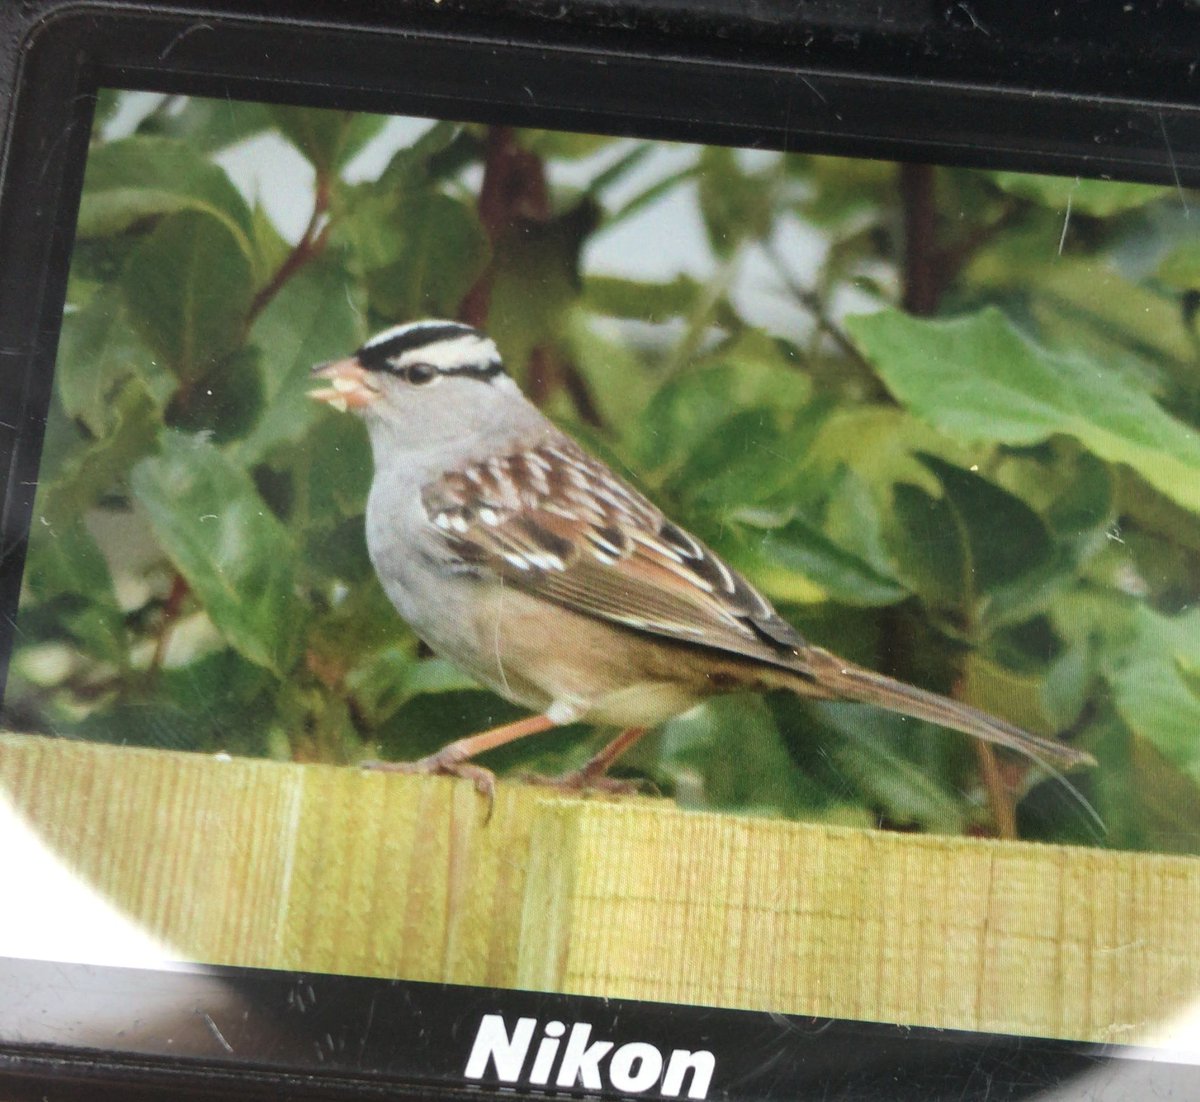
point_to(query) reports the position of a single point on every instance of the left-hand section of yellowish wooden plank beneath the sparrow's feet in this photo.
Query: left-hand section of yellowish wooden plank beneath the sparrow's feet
(269, 865)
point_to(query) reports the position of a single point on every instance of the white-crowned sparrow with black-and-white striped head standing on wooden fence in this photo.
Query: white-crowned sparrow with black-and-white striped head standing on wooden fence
(529, 564)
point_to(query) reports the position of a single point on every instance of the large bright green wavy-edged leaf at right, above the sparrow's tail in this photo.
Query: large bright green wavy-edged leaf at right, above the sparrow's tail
(979, 379)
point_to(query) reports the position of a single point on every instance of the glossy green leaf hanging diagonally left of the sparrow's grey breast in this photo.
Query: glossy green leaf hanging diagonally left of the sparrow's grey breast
(236, 556)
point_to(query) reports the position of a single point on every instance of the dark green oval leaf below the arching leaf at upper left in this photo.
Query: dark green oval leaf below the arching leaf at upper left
(188, 289)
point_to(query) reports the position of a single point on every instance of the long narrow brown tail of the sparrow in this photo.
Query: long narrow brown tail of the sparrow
(829, 676)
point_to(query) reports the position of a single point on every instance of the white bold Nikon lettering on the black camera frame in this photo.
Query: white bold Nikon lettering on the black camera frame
(633, 1069)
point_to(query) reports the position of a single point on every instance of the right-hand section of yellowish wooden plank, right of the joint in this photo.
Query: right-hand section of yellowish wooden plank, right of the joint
(656, 903)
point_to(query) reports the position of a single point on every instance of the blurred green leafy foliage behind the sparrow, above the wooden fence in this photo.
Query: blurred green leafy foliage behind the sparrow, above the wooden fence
(945, 418)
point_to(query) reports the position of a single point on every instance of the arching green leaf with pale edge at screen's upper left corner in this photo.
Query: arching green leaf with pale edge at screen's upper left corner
(136, 179)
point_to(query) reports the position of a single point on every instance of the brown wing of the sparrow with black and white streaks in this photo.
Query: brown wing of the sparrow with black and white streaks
(559, 524)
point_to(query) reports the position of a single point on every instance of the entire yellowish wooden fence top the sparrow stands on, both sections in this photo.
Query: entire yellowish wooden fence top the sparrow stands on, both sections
(320, 869)
